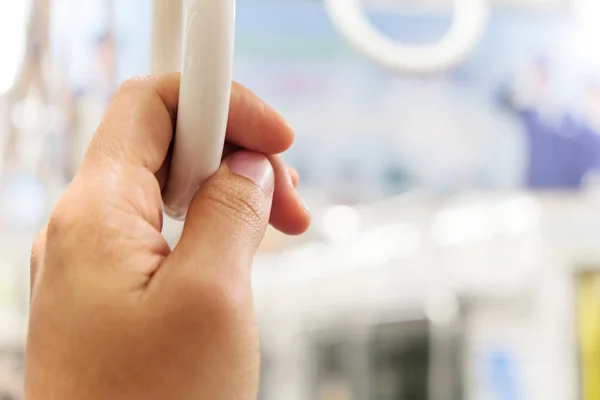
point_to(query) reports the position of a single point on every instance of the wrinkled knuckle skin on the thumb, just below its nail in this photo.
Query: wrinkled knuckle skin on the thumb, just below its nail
(243, 204)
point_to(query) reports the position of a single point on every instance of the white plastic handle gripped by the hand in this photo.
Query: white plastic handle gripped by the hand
(207, 28)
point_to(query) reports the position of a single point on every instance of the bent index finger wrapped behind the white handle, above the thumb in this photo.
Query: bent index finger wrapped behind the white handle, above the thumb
(139, 124)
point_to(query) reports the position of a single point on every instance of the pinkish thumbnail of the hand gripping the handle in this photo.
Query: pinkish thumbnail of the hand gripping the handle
(253, 166)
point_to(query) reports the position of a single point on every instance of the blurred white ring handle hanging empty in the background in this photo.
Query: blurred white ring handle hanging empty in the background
(470, 21)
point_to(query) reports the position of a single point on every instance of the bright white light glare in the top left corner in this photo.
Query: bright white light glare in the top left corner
(13, 16)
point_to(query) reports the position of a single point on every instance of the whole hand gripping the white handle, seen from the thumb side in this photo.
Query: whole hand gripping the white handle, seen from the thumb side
(115, 313)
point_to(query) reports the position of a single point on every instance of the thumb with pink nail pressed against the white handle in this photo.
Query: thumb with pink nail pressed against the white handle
(229, 215)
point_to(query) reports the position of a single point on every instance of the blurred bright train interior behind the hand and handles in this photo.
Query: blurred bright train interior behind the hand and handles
(455, 251)
